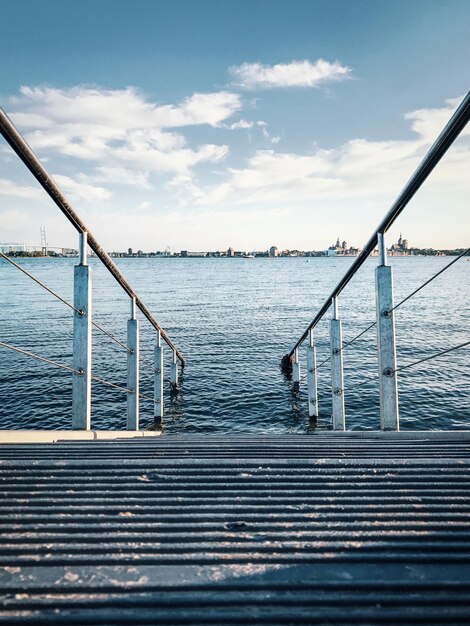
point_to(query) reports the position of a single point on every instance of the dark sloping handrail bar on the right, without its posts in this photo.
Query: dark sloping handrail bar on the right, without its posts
(451, 131)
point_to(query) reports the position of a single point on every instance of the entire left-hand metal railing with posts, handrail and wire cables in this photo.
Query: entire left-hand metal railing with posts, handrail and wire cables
(83, 322)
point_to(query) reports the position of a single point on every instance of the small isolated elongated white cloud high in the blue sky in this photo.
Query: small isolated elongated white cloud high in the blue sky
(294, 74)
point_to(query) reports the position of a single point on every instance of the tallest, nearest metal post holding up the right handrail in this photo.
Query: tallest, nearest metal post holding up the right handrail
(389, 418)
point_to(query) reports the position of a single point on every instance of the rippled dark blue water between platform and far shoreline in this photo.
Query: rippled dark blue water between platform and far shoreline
(234, 319)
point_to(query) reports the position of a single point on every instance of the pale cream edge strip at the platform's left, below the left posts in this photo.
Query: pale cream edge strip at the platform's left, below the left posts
(53, 436)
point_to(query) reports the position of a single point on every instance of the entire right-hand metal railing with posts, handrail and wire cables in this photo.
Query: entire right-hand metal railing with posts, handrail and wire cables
(385, 307)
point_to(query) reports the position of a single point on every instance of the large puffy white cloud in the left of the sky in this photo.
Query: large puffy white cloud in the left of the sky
(118, 129)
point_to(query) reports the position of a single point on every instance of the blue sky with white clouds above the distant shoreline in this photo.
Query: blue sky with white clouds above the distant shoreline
(206, 124)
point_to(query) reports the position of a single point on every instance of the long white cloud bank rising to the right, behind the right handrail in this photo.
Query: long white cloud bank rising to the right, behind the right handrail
(357, 169)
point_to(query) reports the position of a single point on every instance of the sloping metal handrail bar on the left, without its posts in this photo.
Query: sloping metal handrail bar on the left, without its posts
(25, 153)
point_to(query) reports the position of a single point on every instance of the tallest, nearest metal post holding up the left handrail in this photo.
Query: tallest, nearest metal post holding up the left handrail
(81, 387)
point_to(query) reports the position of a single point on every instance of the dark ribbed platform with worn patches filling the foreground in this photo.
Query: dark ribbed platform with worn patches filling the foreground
(328, 528)
